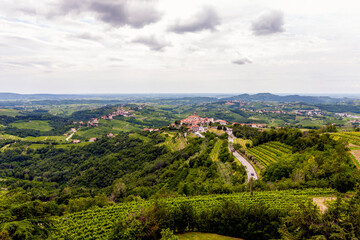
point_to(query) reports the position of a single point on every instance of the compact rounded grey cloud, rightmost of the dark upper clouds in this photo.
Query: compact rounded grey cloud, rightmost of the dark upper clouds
(268, 23)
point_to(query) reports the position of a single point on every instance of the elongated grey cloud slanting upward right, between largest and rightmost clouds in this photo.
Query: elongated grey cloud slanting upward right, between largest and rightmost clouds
(206, 19)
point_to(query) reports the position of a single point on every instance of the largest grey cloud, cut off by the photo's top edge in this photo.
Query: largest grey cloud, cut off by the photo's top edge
(136, 14)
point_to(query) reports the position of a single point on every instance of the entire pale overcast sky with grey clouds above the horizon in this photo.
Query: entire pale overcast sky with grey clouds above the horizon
(187, 46)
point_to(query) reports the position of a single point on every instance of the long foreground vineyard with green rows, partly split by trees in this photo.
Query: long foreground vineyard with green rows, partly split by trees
(97, 223)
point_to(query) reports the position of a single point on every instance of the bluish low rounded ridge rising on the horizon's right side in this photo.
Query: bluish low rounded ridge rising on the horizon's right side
(268, 97)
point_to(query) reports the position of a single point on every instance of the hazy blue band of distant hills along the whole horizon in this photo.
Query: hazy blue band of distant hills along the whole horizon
(263, 97)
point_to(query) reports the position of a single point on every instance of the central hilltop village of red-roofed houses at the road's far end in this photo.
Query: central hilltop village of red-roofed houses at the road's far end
(196, 123)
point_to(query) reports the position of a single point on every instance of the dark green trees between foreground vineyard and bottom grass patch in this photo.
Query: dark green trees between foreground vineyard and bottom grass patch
(229, 218)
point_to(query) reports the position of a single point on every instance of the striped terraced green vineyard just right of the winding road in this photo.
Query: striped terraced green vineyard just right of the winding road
(269, 152)
